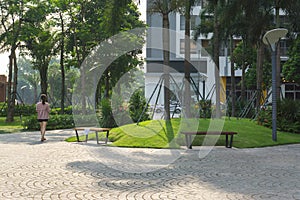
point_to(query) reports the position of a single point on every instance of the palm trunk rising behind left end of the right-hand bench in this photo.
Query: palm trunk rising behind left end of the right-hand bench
(187, 56)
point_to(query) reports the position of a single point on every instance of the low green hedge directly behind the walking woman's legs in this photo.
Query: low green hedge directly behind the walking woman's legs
(55, 122)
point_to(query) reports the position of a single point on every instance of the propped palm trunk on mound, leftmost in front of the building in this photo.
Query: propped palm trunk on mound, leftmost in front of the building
(166, 71)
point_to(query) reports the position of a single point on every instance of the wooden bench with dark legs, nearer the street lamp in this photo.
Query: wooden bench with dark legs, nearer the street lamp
(188, 137)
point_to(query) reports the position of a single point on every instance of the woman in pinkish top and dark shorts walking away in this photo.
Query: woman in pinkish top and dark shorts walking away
(43, 110)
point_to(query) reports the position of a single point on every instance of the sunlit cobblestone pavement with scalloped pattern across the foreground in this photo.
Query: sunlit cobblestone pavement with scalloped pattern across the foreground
(56, 169)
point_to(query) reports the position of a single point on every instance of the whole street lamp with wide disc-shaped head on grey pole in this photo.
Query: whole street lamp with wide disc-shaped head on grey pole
(271, 39)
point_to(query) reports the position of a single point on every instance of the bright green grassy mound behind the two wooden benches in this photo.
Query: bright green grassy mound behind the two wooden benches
(153, 134)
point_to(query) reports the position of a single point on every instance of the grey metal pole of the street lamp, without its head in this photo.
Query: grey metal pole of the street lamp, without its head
(274, 95)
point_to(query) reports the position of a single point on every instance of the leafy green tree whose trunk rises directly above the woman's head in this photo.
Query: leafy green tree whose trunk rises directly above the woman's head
(39, 39)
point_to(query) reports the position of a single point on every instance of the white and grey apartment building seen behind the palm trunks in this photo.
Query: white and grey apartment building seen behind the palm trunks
(202, 66)
